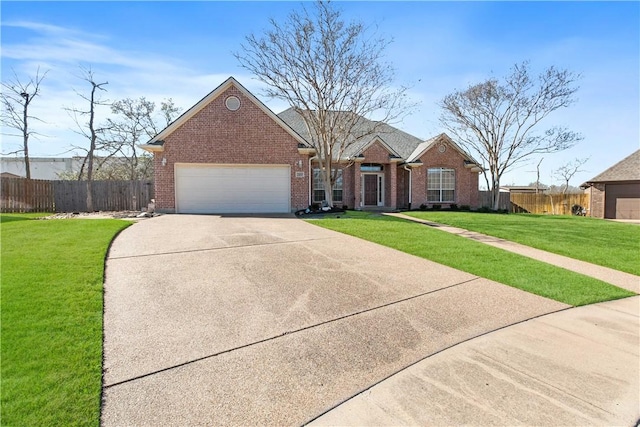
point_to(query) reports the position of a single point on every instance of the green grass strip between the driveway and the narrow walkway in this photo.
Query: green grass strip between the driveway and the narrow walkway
(475, 258)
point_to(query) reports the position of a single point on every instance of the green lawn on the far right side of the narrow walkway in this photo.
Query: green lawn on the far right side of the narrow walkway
(607, 243)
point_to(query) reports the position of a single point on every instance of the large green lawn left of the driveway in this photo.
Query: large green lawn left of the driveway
(51, 319)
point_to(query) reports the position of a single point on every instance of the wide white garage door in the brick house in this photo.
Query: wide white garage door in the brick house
(232, 188)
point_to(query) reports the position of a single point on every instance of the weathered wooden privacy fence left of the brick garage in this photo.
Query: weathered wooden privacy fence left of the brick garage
(22, 195)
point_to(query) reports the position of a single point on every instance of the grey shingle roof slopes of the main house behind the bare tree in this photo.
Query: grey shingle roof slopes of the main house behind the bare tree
(398, 142)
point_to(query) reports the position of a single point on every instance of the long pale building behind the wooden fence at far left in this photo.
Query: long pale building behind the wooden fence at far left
(41, 167)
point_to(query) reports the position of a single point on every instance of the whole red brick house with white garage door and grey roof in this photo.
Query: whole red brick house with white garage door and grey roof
(229, 153)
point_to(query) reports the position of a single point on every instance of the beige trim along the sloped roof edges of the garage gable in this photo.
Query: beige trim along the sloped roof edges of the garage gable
(156, 143)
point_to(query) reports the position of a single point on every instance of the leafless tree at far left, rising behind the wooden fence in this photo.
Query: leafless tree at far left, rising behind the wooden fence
(16, 97)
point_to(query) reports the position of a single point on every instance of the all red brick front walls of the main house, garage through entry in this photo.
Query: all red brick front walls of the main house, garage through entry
(211, 133)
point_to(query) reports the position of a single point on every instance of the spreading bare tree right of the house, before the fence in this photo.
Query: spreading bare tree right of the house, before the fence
(498, 121)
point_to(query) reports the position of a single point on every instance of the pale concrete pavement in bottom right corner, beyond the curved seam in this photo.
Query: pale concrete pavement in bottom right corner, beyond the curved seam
(575, 367)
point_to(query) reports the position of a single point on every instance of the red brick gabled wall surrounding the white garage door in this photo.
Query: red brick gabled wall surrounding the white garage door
(218, 135)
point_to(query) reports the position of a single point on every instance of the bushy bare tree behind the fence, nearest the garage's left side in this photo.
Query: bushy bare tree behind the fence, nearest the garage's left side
(135, 120)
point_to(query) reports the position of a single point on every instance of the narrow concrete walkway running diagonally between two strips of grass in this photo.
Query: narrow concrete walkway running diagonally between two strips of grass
(619, 278)
